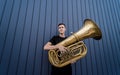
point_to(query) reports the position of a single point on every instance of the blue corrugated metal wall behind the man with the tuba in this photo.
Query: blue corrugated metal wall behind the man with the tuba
(26, 25)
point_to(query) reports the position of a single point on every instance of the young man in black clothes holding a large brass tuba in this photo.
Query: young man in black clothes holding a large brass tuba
(66, 70)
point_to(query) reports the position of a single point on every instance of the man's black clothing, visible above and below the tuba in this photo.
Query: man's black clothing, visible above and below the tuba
(66, 70)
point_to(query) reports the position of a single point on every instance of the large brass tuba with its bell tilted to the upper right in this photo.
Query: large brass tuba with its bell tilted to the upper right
(76, 48)
